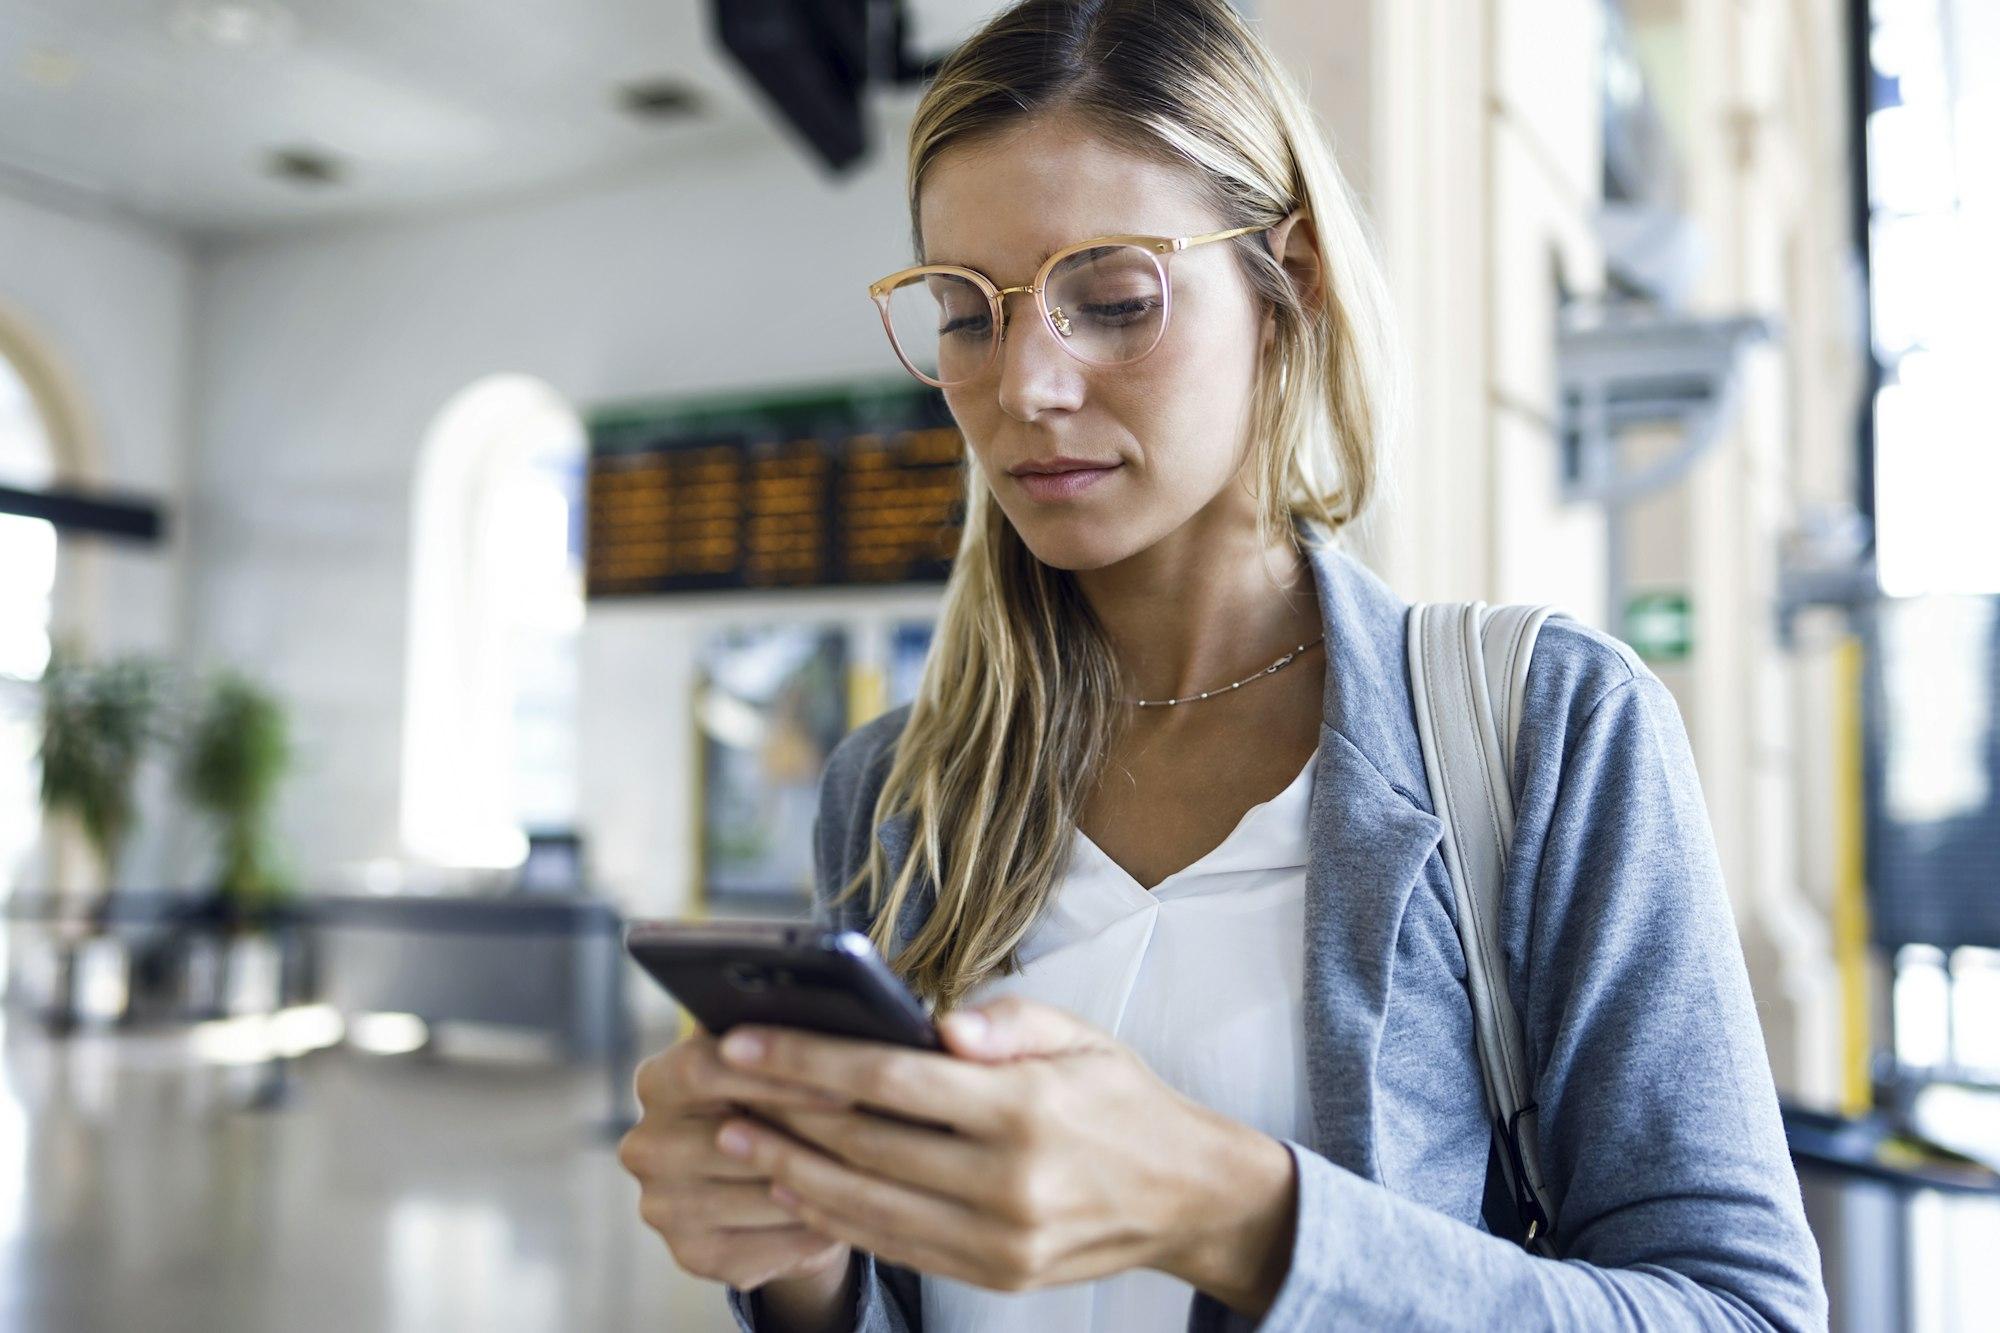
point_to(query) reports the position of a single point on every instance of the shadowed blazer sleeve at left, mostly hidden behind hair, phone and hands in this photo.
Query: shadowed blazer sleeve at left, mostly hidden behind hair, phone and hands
(887, 1296)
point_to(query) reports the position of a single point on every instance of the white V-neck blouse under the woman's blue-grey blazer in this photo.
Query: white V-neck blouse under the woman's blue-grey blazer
(1205, 980)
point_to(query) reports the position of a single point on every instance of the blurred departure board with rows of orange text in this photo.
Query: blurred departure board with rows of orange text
(817, 487)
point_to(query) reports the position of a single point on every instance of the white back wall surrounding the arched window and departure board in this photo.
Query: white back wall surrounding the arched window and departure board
(325, 361)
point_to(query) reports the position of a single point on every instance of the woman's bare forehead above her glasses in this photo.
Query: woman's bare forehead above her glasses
(1007, 203)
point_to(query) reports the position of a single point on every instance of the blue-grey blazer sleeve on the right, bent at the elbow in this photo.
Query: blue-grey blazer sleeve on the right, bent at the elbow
(1659, 1124)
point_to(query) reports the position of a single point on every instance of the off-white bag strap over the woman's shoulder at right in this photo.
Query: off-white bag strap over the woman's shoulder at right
(1469, 672)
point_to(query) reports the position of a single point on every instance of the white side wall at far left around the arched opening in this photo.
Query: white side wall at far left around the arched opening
(105, 305)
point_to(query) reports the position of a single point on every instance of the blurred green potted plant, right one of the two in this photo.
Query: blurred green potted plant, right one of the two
(235, 756)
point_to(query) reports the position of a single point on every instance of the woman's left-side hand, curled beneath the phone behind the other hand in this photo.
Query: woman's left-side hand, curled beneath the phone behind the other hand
(713, 1212)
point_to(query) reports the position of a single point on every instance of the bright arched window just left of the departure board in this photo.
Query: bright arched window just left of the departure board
(497, 605)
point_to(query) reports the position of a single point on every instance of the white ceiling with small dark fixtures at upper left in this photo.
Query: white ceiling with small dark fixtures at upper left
(173, 109)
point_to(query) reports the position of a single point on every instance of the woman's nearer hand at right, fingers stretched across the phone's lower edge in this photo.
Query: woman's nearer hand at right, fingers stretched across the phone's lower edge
(1065, 1158)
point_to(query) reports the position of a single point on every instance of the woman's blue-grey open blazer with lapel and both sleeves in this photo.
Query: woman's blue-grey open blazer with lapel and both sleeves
(1659, 1124)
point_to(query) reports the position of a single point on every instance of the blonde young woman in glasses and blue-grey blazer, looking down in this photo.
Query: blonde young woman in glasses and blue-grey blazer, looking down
(1155, 836)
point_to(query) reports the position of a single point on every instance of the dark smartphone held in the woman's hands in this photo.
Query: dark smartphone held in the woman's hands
(781, 974)
